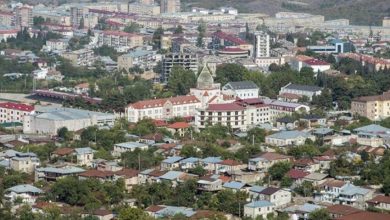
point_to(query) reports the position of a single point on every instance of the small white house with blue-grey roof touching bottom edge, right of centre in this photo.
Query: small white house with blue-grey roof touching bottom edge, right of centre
(258, 208)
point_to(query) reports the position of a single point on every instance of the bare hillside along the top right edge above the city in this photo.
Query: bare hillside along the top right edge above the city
(360, 12)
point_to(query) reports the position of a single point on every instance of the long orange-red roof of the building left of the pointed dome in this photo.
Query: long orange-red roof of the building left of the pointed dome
(154, 103)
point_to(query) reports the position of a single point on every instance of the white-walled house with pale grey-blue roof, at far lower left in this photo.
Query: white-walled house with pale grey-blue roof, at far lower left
(26, 192)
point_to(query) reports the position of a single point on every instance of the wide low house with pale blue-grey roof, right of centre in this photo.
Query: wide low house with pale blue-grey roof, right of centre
(288, 138)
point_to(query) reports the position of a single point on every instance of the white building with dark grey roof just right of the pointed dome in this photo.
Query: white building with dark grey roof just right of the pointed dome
(242, 89)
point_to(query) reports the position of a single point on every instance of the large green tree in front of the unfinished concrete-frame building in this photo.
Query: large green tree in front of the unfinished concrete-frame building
(181, 80)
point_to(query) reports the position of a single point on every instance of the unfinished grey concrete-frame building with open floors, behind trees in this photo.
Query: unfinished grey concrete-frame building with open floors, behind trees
(186, 60)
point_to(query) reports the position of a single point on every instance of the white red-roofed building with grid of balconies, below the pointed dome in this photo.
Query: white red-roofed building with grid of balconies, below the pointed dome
(227, 114)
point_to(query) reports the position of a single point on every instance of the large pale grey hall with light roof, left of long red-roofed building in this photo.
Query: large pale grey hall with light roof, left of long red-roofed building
(49, 120)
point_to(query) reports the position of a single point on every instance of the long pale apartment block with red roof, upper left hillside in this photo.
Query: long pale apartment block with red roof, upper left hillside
(119, 39)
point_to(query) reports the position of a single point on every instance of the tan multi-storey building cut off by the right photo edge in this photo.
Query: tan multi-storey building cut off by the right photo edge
(373, 107)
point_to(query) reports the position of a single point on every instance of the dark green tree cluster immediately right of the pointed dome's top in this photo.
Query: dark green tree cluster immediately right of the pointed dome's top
(230, 72)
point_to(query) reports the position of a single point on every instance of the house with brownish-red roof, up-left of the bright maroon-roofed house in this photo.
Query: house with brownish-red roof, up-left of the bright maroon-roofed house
(266, 160)
